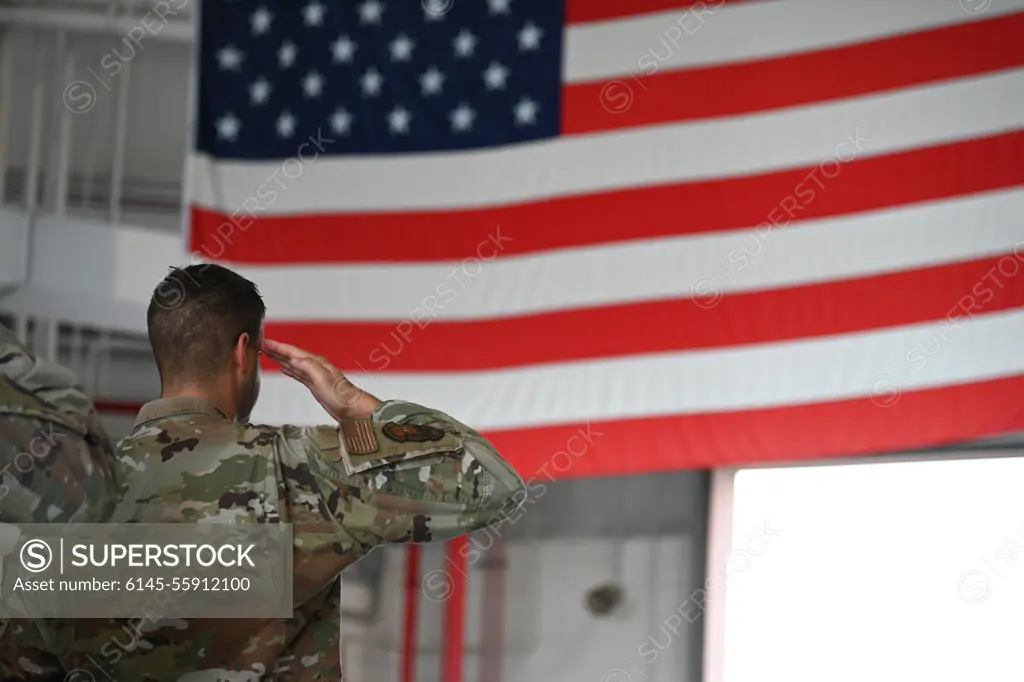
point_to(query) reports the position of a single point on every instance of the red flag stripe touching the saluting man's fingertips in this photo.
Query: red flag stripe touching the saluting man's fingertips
(956, 291)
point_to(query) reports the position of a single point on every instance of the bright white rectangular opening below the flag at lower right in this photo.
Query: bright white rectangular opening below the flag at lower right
(887, 572)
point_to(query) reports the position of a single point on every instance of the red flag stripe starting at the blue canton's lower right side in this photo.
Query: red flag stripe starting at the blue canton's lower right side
(766, 84)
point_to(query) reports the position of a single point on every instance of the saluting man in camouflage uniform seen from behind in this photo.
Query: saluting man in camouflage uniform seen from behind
(379, 473)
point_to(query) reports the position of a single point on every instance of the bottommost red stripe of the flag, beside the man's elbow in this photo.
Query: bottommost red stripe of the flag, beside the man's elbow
(915, 419)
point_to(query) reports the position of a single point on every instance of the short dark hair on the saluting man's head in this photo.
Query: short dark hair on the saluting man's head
(196, 317)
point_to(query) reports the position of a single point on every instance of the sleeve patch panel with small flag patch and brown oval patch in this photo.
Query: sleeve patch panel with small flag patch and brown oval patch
(367, 445)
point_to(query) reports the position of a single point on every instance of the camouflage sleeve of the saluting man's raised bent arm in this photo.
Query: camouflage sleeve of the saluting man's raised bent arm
(409, 474)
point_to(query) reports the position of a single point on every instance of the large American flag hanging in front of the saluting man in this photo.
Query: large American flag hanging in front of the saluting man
(654, 235)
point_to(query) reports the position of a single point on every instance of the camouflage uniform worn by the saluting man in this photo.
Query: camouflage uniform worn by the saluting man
(407, 475)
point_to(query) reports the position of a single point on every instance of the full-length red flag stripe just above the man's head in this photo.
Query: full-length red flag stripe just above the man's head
(863, 185)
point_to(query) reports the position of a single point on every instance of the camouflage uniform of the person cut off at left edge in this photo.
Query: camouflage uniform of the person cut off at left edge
(57, 466)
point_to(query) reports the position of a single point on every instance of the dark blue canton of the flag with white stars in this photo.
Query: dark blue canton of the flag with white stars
(377, 76)
